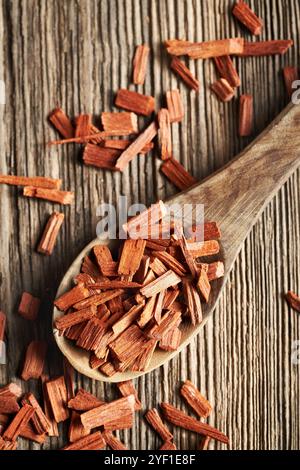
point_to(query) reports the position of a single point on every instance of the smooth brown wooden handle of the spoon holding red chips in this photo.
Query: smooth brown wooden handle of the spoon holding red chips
(236, 195)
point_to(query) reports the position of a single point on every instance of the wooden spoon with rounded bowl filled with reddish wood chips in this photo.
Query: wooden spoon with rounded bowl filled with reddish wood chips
(235, 197)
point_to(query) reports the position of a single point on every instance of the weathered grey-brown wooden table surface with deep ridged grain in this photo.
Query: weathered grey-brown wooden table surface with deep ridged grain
(77, 54)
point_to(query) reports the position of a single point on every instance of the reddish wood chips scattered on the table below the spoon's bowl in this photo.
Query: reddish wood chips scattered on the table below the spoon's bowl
(92, 422)
